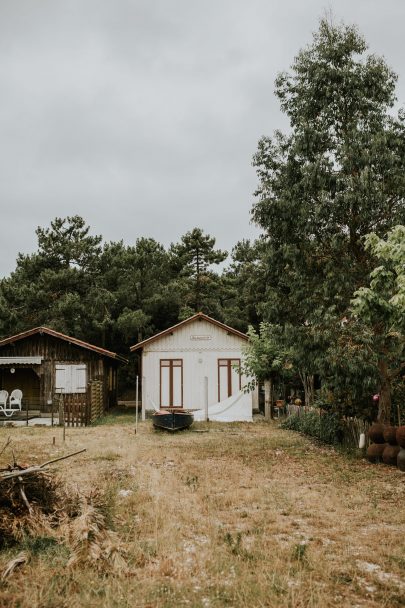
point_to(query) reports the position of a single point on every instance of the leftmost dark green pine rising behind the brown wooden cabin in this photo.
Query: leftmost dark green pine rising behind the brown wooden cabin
(52, 285)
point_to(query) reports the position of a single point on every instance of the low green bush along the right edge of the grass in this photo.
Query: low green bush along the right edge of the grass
(326, 427)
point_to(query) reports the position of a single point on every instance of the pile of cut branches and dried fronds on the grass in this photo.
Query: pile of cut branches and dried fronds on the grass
(35, 503)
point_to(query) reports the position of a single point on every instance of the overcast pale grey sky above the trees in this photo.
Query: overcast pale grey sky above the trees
(143, 115)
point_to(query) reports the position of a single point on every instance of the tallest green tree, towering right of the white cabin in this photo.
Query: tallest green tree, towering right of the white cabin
(338, 174)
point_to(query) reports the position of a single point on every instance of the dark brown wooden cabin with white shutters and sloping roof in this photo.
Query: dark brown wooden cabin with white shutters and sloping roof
(44, 364)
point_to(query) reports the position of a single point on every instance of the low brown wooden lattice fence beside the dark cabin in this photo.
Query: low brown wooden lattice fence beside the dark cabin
(81, 409)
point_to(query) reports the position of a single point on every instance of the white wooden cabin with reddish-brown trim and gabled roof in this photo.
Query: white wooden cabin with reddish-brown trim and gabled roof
(196, 365)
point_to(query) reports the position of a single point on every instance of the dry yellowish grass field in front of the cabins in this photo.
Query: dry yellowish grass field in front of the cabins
(234, 515)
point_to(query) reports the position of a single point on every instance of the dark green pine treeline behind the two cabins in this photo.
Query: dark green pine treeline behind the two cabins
(115, 294)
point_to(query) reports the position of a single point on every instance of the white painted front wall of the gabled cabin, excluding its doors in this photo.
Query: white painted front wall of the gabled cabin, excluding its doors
(199, 344)
